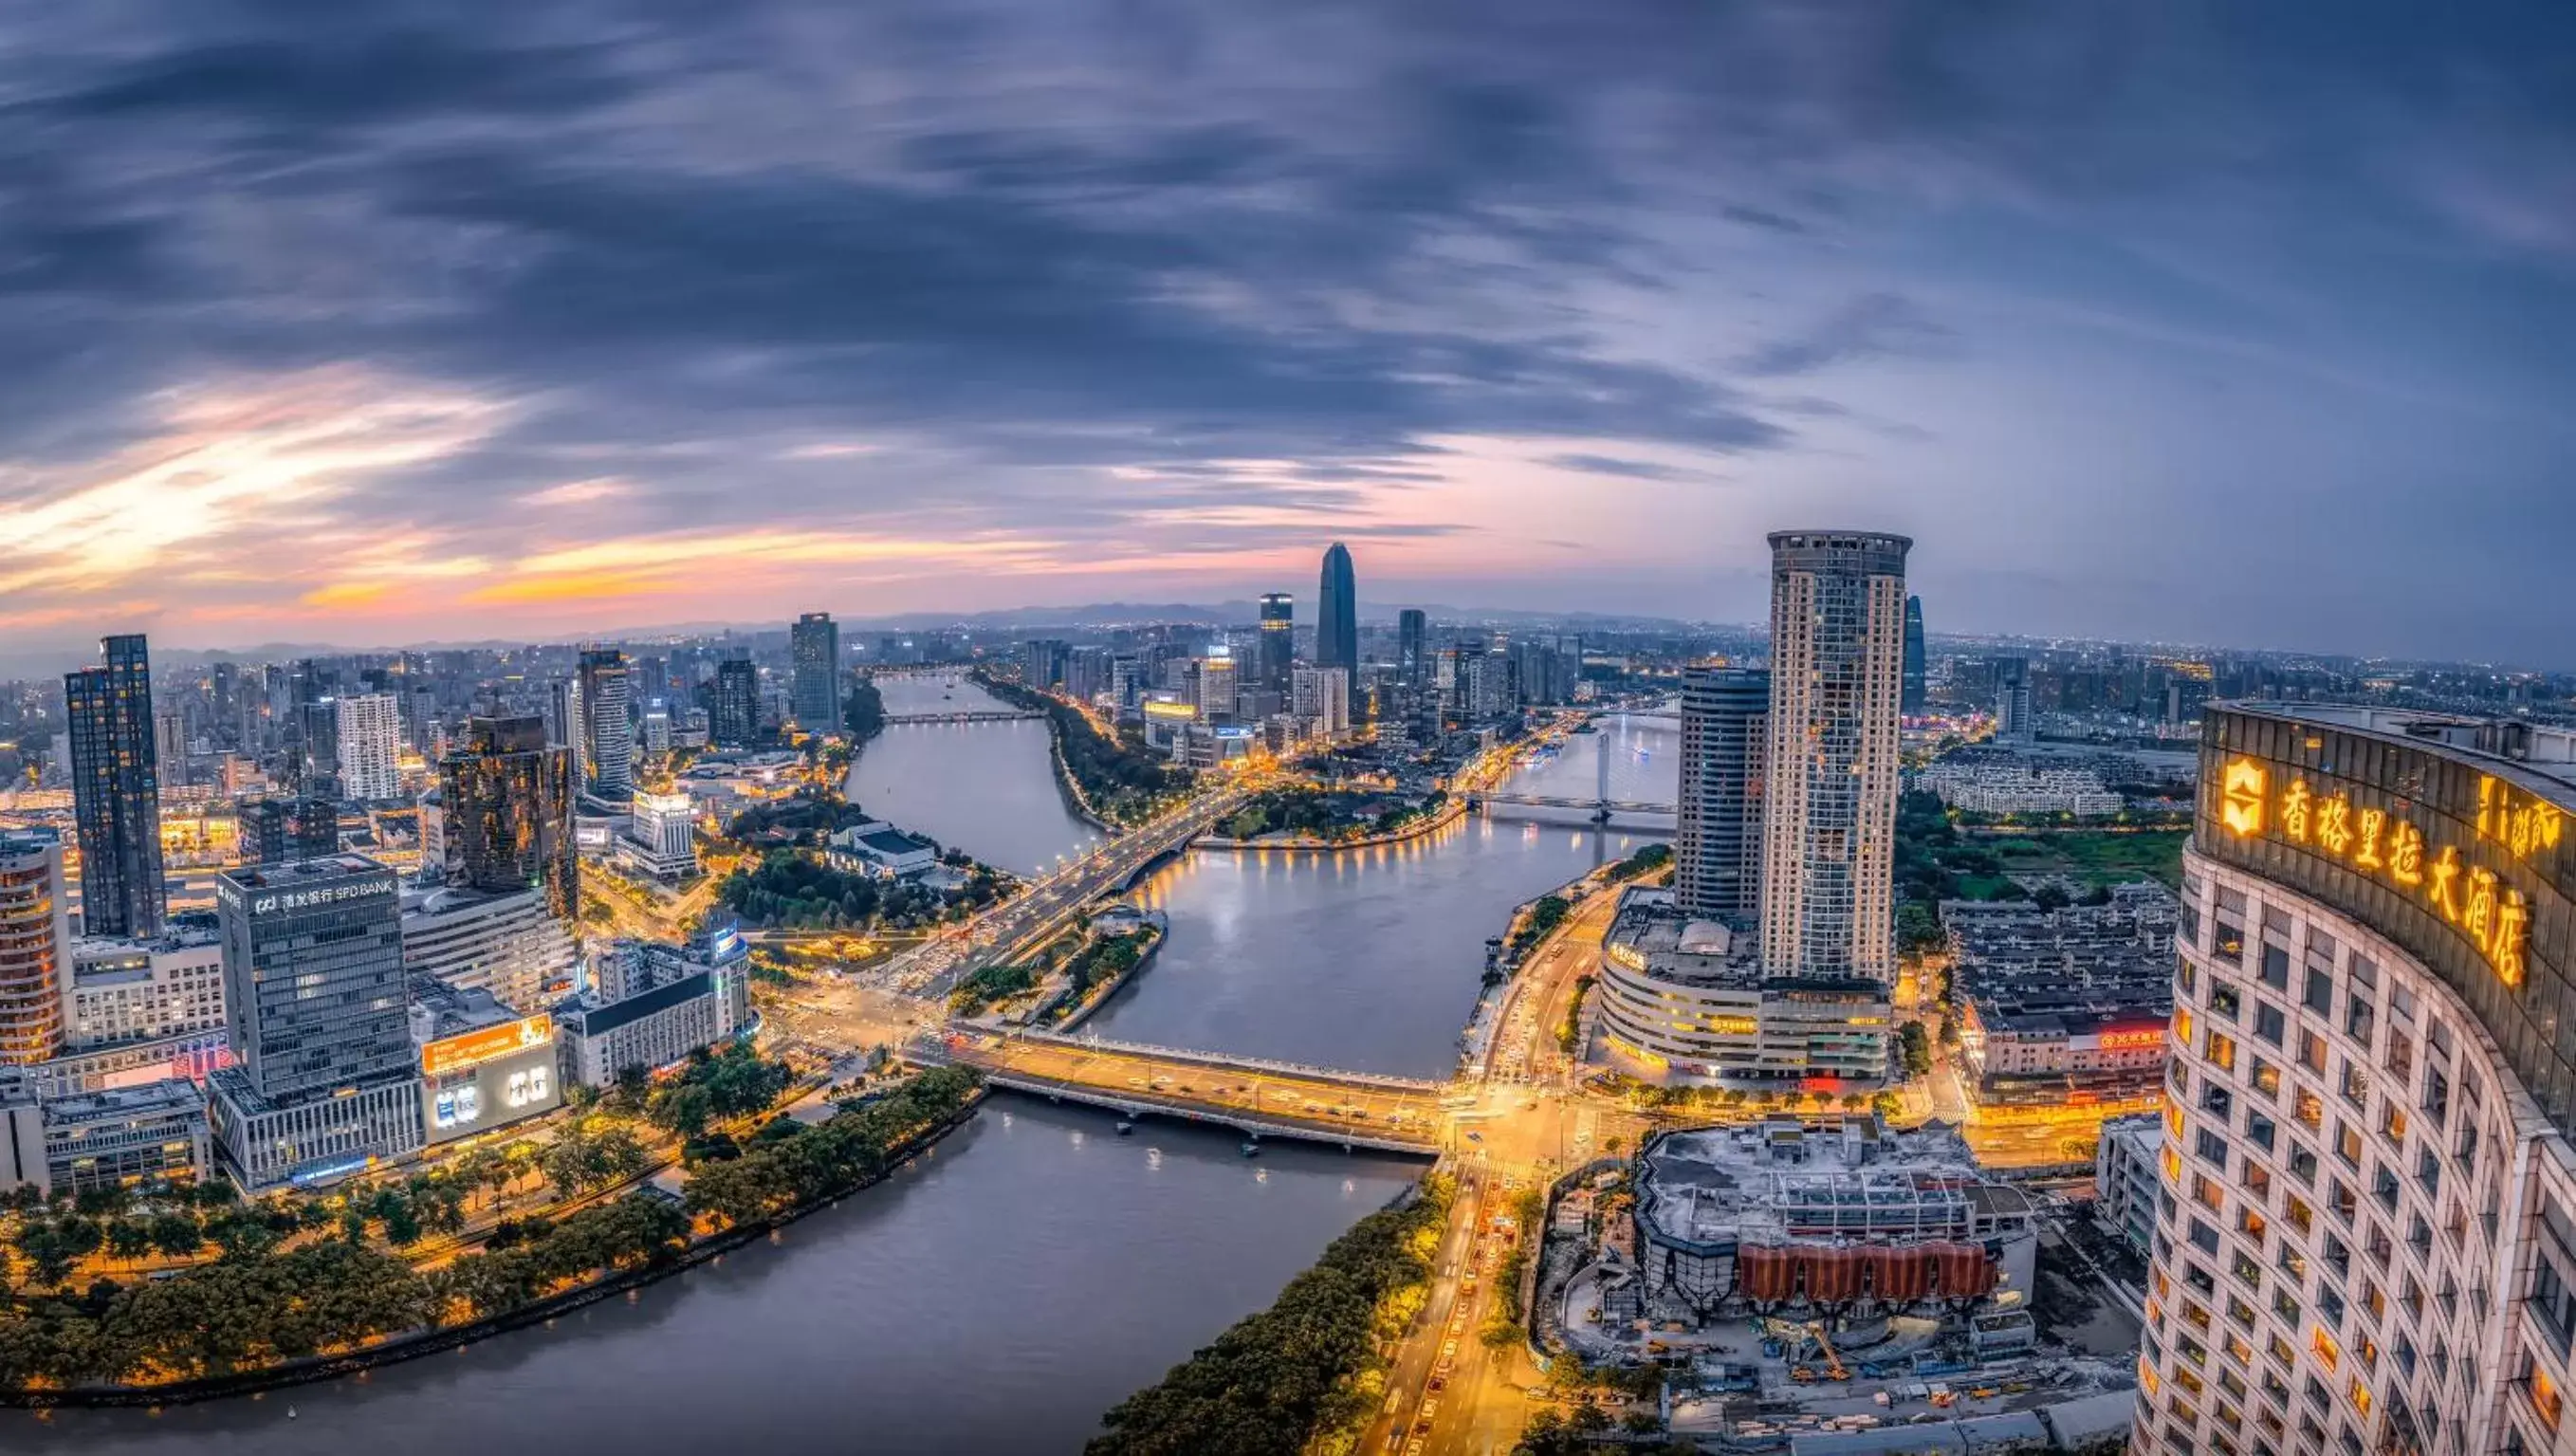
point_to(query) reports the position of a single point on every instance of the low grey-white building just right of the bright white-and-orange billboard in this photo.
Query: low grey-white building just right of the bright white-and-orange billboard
(650, 1006)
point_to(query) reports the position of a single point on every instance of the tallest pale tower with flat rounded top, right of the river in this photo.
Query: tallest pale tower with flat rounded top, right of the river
(1830, 795)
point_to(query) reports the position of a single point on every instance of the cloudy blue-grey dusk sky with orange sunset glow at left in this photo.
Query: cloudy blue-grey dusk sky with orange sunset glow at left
(2147, 318)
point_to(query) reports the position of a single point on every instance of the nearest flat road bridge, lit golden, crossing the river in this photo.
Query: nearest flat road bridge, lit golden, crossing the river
(1251, 1097)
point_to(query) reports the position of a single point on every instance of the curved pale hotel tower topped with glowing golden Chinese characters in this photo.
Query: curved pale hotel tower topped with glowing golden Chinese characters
(2366, 1228)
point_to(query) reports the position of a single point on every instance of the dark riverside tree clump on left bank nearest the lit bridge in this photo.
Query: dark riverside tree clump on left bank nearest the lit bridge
(823, 1161)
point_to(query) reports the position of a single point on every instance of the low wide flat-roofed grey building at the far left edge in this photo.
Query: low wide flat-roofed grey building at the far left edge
(120, 1138)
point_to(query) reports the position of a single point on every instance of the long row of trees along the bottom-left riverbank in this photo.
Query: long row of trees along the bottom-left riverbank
(261, 1308)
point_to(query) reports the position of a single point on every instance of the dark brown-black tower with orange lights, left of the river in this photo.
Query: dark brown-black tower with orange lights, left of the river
(506, 810)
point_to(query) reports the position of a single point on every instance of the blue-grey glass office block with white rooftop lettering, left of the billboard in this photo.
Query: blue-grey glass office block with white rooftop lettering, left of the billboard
(326, 1078)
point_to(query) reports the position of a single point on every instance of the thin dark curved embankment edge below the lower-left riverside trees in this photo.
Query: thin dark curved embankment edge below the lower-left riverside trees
(434, 1341)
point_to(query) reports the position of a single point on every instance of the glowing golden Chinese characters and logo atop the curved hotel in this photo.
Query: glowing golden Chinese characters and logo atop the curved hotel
(2258, 800)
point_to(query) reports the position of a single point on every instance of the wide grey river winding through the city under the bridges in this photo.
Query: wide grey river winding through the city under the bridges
(1034, 1269)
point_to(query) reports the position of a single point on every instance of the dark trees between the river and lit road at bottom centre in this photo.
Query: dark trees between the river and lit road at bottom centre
(1307, 1367)
